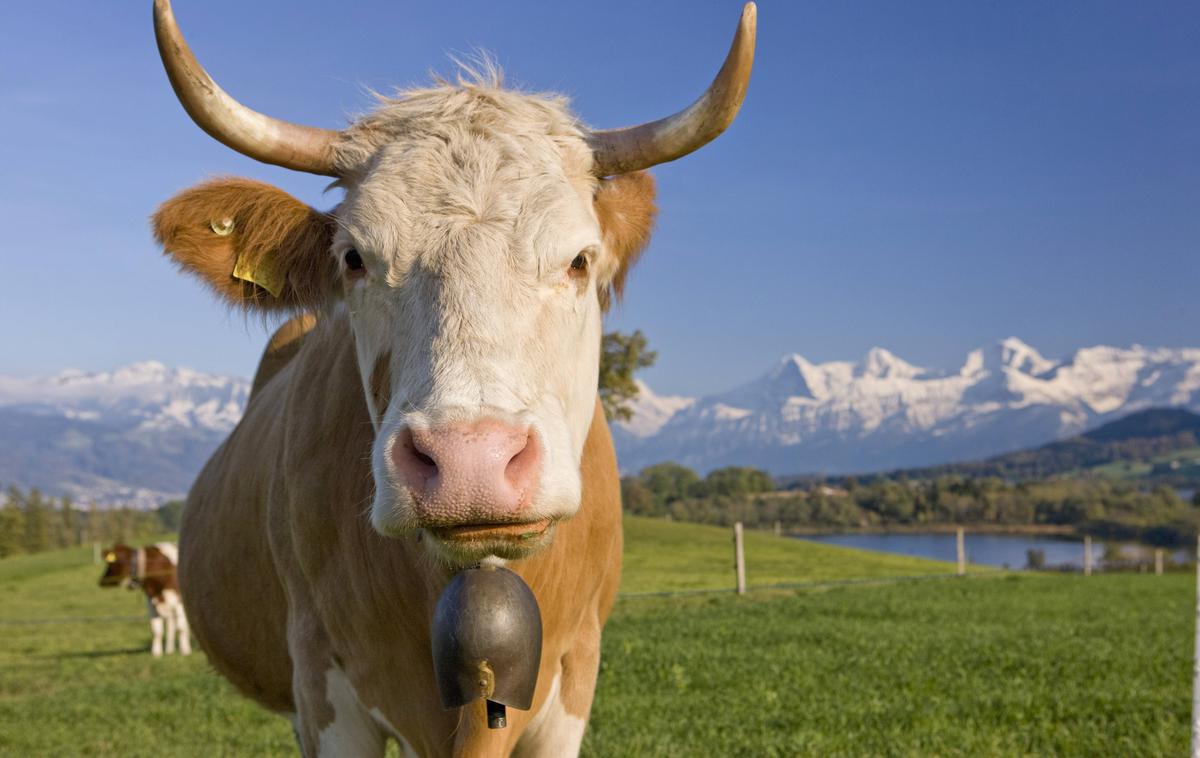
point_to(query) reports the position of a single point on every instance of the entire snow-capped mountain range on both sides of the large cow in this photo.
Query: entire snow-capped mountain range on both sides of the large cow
(140, 435)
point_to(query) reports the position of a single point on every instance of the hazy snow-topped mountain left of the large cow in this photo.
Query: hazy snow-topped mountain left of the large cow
(136, 436)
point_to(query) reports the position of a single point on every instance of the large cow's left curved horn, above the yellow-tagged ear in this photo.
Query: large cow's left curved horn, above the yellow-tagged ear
(249, 133)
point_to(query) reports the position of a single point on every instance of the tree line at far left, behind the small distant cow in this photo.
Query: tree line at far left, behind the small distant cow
(32, 522)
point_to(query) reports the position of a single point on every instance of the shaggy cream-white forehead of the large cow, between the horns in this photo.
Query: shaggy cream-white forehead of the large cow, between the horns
(445, 161)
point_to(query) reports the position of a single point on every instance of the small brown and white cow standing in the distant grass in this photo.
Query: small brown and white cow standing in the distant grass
(152, 569)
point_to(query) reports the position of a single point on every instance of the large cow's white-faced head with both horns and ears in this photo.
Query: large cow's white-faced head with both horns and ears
(482, 234)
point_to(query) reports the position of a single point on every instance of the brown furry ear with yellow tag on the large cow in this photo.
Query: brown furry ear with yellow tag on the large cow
(257, 246)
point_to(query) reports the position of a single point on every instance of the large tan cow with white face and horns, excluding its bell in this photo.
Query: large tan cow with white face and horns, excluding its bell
(431, 404)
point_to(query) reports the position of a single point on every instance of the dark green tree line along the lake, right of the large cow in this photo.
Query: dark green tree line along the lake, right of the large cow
(1101, 508)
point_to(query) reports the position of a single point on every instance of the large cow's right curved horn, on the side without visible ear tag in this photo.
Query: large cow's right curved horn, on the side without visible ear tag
(635, 148)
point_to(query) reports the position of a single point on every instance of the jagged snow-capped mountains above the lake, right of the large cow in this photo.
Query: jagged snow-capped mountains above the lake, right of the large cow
(884, 413)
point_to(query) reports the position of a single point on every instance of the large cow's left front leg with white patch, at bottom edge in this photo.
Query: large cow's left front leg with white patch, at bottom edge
(331, 720)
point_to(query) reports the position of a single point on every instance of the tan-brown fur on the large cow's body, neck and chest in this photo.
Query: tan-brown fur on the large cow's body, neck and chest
(296, 474)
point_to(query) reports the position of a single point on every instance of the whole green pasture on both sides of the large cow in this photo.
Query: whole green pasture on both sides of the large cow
(997, 665)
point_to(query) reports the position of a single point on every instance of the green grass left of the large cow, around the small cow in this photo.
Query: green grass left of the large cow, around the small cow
(92, 689)
